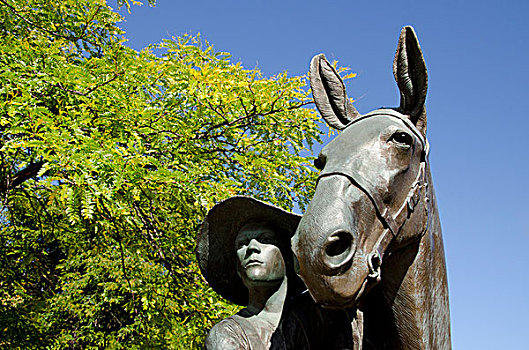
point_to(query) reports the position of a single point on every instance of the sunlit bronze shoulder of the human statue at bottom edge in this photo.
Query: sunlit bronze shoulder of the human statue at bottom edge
(227, 334)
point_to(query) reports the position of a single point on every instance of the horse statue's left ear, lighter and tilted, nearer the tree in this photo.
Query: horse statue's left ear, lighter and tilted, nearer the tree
(329, 93)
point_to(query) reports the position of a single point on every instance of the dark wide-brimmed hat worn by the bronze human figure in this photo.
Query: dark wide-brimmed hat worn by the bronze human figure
(216, 239)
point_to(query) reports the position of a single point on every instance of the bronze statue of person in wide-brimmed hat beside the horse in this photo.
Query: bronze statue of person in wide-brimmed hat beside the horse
(244, 253)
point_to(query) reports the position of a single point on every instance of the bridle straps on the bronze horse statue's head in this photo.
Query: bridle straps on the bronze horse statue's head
(392, 222)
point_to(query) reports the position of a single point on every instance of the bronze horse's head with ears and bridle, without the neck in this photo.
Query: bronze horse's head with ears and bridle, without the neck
(371, 197)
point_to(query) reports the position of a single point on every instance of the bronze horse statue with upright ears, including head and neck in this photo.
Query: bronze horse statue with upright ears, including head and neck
(371, 239)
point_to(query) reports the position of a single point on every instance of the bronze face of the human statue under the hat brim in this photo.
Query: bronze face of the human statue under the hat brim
(259, 258)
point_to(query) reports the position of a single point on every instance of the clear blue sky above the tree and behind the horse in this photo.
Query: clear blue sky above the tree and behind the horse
(478, 63)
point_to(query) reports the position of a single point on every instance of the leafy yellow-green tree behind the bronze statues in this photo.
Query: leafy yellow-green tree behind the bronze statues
(109, 160)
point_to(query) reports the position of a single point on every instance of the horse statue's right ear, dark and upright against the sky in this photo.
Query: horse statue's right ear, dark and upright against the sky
(410, 74)
